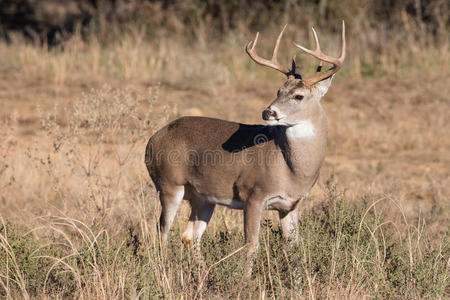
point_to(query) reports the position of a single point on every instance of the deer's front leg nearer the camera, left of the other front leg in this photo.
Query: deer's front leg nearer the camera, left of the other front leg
(252, 224)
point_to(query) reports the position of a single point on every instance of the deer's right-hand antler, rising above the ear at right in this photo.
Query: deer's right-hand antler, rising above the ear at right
(336, 62)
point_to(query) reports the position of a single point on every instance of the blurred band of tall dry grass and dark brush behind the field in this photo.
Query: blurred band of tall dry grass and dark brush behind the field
(385, 37)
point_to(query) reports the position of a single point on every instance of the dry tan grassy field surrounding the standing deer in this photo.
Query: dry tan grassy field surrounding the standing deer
(78, 212)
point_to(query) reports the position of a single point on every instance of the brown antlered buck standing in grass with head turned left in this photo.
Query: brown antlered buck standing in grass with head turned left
(210, 162)
